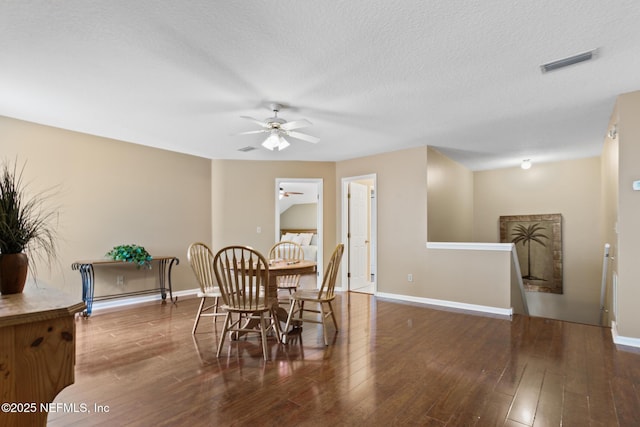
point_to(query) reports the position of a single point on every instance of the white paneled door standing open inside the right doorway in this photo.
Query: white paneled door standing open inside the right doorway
(358, 234)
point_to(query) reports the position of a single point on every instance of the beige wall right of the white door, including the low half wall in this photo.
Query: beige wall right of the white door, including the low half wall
(401, 198)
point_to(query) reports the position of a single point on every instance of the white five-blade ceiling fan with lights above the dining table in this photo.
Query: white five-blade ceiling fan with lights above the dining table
(278, 128)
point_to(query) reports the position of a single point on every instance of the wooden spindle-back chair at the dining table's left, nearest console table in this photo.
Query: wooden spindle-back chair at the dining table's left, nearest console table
(200, 258)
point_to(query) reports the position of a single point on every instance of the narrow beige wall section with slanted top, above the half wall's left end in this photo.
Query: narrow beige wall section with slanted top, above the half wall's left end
(449, 199)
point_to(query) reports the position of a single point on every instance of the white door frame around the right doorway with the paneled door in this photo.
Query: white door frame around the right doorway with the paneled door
(345, 229)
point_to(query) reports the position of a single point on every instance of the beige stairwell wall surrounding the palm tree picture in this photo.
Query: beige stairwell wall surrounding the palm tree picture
(571, 188)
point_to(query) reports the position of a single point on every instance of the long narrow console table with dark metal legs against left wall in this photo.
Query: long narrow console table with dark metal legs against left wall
(165, 264)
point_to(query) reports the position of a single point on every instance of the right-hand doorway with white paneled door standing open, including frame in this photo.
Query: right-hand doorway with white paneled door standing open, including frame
(359, 217)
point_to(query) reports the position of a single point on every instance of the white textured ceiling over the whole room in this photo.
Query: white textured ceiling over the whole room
(372, 76)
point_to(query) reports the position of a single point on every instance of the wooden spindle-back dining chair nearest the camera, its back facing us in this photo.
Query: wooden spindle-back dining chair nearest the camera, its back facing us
(243, 276)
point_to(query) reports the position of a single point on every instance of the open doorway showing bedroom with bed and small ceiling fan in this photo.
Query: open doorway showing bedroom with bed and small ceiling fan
(299, 211)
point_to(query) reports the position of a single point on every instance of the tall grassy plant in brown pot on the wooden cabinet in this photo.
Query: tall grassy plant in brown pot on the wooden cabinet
(26, 228)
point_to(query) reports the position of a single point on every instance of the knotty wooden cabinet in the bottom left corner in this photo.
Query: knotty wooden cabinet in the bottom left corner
(37, 353)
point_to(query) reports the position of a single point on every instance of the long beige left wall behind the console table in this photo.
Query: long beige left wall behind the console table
(112, 193)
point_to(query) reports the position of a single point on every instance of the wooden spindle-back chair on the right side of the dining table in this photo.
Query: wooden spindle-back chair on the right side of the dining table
(319, 298)
